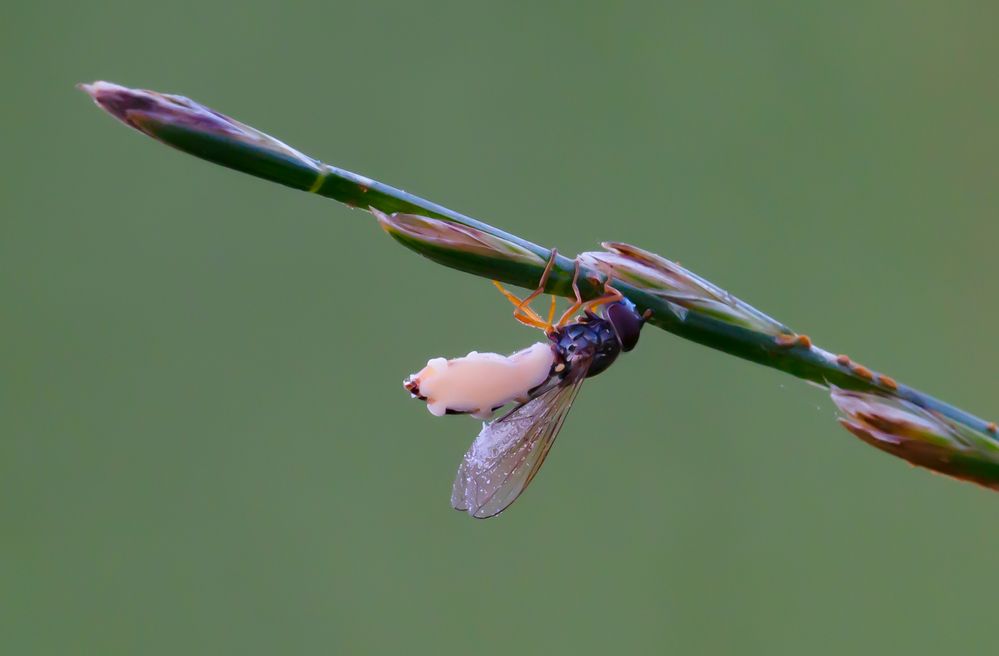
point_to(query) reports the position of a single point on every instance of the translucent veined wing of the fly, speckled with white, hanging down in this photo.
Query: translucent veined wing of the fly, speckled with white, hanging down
(509, 451)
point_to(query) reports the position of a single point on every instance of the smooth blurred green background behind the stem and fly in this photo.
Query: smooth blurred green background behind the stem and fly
(205, 445)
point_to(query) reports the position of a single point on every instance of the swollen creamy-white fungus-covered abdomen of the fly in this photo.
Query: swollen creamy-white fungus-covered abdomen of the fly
(480, 382)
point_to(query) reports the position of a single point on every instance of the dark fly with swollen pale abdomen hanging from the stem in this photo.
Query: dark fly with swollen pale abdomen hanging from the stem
(543, 380)
